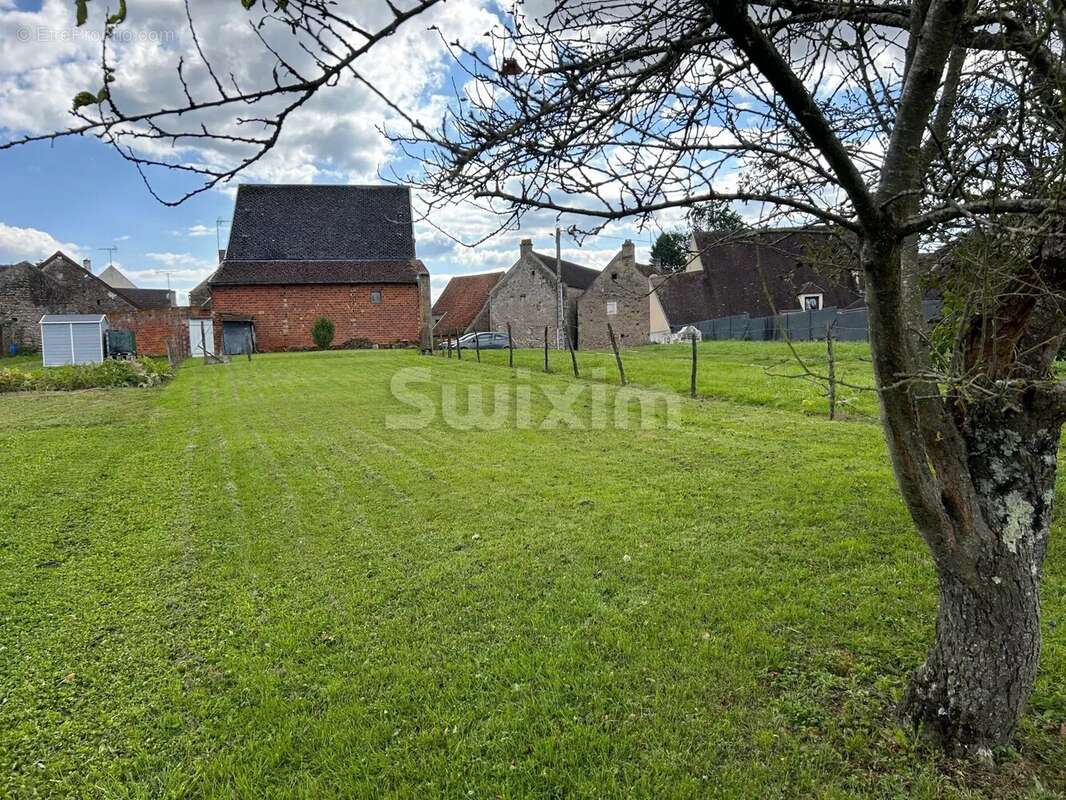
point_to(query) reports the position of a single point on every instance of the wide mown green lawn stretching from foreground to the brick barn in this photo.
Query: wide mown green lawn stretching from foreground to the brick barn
(246, 584)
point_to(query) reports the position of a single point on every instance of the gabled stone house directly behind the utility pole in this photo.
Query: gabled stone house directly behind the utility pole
(528, 298)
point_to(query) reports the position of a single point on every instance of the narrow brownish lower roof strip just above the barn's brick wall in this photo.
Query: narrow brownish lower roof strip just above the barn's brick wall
(279, 274)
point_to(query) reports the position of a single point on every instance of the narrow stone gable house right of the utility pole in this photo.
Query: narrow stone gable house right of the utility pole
(622, 296)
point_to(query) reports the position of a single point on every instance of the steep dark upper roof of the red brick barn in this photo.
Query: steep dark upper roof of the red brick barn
(321, 223)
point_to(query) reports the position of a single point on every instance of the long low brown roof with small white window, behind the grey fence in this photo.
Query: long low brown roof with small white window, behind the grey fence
(757, 274)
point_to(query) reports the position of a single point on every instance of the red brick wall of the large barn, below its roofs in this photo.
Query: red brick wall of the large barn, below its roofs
(284, 315)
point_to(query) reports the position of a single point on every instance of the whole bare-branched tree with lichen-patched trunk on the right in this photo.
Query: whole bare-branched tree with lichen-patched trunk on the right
(907, 125)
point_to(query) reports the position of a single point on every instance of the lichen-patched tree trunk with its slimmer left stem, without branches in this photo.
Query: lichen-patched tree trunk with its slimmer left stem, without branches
(979, 483)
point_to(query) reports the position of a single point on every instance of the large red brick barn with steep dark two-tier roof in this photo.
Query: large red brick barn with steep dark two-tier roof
(298, 253)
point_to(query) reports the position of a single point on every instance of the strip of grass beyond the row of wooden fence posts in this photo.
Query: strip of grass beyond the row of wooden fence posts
(748, 373)
